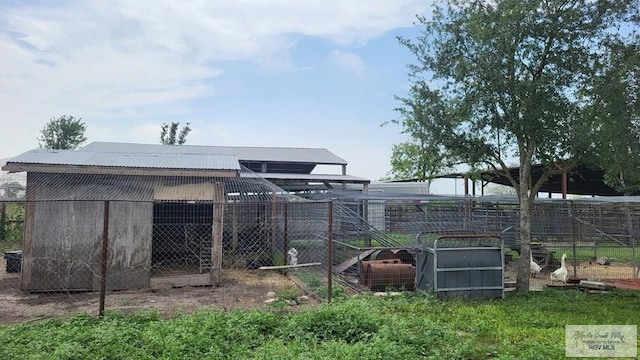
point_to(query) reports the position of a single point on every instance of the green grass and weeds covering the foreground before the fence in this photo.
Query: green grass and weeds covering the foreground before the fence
(410, 326)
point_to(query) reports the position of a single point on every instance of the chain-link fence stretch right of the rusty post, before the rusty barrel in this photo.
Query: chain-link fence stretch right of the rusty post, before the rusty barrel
(597, 236)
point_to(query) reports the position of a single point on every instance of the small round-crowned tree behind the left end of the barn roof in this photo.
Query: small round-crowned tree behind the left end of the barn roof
(63, 133)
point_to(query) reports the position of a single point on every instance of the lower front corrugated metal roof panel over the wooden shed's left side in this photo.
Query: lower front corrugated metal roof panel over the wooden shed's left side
(129, 160)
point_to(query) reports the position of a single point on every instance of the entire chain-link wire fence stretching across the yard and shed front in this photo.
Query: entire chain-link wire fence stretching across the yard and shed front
(64, 238)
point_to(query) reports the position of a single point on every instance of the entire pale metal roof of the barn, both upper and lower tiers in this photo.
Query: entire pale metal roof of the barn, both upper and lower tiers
(289, 168)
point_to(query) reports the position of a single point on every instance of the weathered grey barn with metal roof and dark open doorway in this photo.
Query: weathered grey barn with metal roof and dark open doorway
(143, 209)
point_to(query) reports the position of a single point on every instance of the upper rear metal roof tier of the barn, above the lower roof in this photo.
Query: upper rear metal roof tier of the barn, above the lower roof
(275, 154)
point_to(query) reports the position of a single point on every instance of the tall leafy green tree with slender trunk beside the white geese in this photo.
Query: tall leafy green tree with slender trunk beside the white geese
(509, 74)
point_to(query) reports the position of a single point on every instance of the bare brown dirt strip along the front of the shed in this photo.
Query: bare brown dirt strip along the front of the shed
(239, 290)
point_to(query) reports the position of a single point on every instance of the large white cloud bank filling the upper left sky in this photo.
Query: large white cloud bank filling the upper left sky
(137, 60)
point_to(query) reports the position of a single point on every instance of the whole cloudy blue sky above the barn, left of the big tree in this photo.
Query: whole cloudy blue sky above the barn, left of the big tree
(287, 73)
